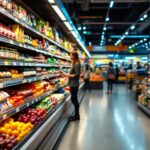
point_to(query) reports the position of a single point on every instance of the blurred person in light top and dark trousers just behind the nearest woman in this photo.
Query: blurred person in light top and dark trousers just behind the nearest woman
(86, 76)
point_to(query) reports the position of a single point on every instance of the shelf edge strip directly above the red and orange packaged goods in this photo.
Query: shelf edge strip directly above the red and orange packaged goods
(13, 82)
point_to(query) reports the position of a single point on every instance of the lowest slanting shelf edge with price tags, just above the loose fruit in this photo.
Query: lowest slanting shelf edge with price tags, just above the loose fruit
(29, 102)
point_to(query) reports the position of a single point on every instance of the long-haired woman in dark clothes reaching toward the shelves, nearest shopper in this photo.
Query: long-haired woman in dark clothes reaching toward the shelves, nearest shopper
(74, 76)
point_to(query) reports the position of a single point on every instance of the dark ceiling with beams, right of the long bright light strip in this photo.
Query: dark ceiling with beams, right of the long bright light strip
(124, 13)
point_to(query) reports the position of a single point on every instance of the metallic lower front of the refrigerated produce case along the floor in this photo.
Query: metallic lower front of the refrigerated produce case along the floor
(50, 130)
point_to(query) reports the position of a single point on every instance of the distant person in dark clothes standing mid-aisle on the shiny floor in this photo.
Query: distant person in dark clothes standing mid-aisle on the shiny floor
(110, 77)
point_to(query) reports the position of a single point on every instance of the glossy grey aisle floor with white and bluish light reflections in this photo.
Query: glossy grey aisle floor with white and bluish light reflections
(108, 122)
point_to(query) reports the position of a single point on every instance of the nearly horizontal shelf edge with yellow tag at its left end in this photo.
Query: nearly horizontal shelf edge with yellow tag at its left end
(29, 64)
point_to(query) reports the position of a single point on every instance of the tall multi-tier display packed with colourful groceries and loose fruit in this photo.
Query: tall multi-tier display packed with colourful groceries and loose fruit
(33, 92)
